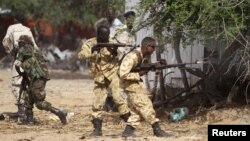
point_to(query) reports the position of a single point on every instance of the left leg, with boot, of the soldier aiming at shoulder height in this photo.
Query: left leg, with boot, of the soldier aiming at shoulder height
(98, 103)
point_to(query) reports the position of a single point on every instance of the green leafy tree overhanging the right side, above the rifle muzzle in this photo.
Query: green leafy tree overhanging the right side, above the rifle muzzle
(181, 21)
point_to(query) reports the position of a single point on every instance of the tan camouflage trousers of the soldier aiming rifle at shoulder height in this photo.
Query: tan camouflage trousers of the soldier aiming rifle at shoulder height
(100, 92)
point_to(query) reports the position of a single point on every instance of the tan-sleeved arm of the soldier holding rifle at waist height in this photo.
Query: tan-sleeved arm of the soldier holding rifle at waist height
(129, 61)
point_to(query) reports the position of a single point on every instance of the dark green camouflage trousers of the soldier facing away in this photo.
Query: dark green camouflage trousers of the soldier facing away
(36, 95)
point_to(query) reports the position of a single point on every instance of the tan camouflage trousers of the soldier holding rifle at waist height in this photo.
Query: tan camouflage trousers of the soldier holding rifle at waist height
(139, 103)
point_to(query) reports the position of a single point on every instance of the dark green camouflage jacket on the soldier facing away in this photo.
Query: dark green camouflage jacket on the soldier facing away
(33, 63)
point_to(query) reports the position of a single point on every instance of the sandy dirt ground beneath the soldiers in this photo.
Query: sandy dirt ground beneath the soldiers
(72, 91)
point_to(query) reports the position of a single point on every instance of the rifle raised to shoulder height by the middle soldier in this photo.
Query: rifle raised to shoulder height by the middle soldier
(111, 46)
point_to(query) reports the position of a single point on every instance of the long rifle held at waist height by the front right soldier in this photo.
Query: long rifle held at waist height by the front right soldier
(158, 66)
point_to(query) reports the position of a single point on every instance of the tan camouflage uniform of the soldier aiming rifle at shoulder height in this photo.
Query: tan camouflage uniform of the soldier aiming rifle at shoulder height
(104, 67)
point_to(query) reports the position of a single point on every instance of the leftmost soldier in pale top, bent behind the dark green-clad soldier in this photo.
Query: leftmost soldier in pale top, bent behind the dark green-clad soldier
(11, 46)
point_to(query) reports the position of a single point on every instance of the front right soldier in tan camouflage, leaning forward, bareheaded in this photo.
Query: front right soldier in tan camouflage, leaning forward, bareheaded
(133, 86)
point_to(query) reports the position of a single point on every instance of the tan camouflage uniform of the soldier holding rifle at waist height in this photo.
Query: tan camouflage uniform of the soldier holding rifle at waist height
(133, 86)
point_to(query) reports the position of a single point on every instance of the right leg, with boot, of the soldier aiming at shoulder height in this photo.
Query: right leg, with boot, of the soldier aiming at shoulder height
(118, 99)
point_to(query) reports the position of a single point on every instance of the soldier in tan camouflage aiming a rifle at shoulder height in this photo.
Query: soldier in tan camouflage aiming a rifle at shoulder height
(104, 67)
